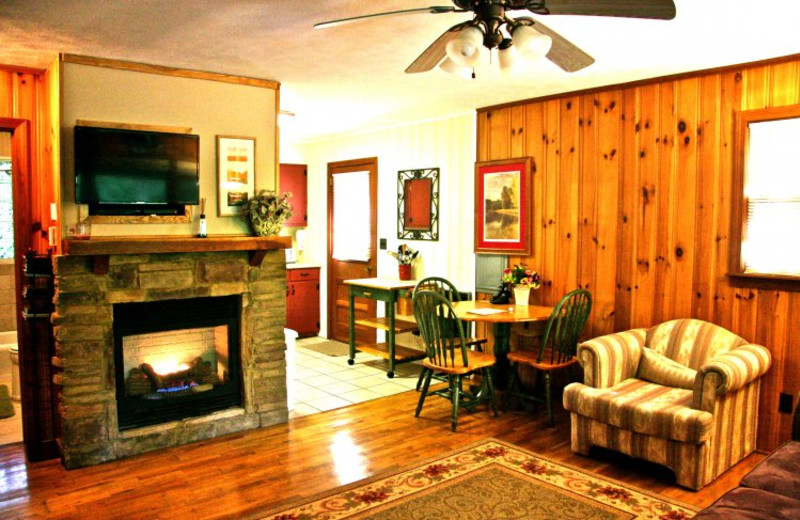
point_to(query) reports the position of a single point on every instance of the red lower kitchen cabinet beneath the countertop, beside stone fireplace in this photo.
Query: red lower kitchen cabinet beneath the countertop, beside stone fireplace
(302, 300)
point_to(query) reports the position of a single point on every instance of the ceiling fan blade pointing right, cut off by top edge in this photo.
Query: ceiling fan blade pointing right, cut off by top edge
(658, 9)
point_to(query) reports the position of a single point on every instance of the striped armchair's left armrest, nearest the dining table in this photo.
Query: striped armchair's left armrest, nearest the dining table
(610, 359)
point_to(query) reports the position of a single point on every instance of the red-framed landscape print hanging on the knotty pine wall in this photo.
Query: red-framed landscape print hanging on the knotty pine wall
(503, 206)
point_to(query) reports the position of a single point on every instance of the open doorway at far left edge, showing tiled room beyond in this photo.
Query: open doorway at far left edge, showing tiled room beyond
(10, 413)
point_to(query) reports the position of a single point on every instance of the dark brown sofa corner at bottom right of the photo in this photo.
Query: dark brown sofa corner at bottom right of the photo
(771, 491)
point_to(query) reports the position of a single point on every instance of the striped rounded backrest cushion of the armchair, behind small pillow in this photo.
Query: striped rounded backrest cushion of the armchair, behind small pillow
(691, 342)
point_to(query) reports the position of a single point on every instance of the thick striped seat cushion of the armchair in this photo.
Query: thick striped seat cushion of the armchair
(642, 407)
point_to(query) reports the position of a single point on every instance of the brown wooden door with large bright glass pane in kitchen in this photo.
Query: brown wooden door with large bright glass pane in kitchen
(352, 222)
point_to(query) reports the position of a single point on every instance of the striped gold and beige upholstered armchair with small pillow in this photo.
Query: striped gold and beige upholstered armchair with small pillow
(683, 394)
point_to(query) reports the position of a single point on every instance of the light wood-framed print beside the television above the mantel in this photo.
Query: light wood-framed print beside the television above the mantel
(236, 170)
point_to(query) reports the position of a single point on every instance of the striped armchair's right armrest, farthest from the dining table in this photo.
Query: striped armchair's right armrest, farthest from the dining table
(732, 370)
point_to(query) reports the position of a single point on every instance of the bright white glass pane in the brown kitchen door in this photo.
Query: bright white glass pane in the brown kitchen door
(351, 218)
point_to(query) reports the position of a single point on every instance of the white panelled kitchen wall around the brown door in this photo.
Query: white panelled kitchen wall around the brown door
(447, 144)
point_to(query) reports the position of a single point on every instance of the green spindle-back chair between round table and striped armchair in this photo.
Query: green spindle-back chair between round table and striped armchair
(556, 350)
